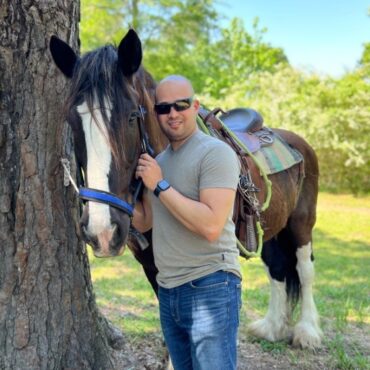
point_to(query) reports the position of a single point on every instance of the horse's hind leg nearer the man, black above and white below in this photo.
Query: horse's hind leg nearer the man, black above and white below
(275, 325)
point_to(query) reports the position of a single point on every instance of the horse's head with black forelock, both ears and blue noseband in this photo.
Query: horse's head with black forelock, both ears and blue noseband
(108, 90)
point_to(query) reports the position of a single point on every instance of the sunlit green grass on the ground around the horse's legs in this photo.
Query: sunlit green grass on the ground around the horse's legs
(342, 290)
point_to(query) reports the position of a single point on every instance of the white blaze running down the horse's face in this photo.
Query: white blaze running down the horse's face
(99, 159)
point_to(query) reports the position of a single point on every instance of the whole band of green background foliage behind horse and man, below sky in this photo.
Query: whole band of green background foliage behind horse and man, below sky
(231, 67)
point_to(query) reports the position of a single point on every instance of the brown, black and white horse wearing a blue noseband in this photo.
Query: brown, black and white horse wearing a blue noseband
(110, 110)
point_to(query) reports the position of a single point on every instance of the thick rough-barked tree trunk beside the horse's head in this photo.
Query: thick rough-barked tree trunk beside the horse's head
(48, 315)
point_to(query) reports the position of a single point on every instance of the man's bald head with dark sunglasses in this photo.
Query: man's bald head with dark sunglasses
(176, 109)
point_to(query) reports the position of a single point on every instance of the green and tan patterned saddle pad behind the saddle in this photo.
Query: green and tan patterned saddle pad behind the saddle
(278, 156)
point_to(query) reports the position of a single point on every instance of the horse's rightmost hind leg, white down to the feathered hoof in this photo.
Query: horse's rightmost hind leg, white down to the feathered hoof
(307, 332)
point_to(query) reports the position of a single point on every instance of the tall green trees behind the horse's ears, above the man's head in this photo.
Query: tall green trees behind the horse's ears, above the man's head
(172, 31)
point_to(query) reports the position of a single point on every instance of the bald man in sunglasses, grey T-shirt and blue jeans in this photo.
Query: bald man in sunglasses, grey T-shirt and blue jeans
(192, 186)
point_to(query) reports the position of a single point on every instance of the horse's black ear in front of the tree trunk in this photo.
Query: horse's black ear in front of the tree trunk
(64, 57)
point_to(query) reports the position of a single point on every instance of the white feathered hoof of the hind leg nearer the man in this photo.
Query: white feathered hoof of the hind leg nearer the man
(269, 330)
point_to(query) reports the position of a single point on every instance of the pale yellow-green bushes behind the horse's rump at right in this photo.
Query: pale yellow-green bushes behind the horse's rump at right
(332, 115)
